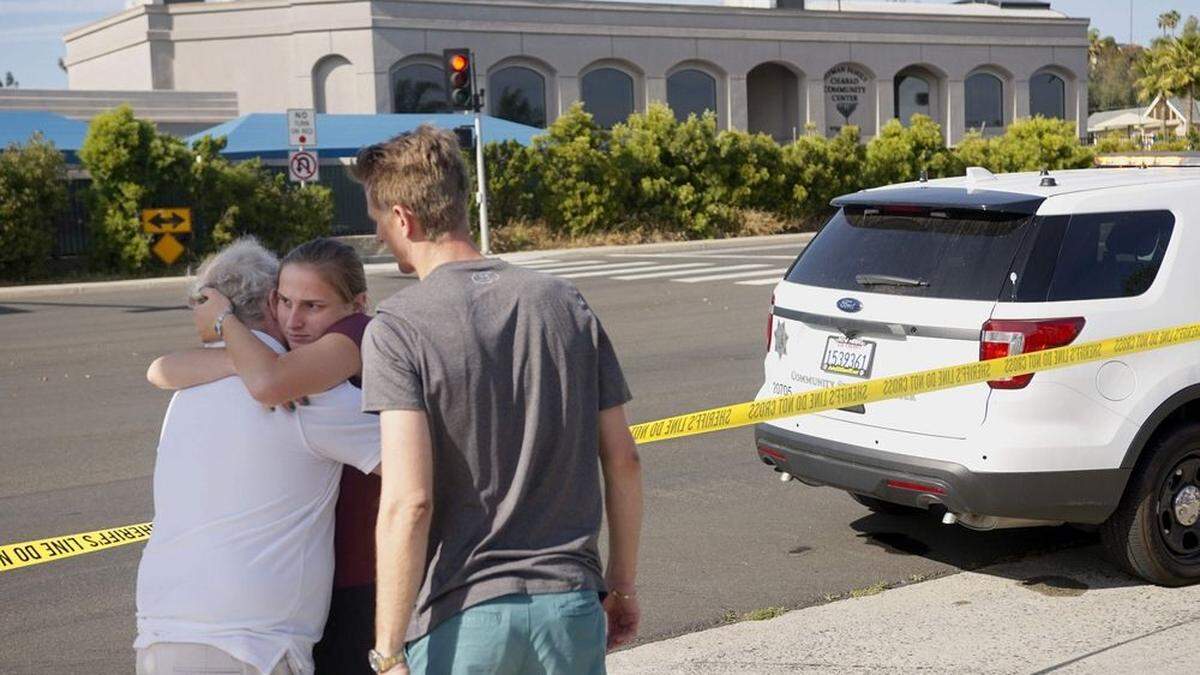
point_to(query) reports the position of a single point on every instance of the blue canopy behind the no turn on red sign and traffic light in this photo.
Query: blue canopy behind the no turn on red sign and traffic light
(266, 135)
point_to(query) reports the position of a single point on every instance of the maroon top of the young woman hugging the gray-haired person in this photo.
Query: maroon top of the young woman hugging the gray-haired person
(358, 504)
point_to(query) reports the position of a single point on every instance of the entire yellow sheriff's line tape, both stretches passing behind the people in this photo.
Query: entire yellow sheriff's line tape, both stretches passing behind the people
(14, 557)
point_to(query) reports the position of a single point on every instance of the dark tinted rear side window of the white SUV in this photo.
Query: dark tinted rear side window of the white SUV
(1093, 256)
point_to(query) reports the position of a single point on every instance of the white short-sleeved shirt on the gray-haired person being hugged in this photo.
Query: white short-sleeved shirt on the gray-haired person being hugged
(242, 555)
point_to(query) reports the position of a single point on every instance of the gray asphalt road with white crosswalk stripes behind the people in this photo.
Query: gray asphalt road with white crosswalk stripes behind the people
(723, 536)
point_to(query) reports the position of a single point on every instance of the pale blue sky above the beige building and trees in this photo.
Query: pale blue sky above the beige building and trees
(32, 31)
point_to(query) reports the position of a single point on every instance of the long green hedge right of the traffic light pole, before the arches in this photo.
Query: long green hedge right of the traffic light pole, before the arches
(691, 178)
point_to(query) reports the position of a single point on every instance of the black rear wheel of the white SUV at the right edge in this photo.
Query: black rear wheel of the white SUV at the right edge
(1155, 534)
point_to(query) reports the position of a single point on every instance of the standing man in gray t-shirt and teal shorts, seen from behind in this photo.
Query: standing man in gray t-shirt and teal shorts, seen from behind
(501, 401)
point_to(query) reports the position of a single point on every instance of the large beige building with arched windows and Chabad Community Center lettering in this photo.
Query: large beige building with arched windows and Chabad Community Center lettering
(760, 67)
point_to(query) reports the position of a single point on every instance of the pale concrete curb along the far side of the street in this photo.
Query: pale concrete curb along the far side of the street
(379, 265)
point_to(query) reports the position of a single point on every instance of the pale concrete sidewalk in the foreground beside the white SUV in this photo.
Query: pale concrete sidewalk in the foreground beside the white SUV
(1063, 613)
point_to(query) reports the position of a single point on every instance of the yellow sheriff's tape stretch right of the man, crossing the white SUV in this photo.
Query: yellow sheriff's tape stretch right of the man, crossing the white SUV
(885, 389)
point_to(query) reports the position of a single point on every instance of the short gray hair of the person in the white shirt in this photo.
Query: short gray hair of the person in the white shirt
(245, 273)
